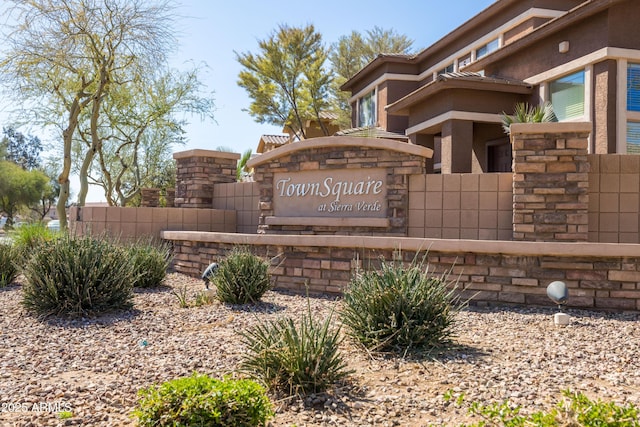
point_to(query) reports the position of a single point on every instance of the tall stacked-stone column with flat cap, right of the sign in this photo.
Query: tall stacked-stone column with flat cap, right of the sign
(550, 182)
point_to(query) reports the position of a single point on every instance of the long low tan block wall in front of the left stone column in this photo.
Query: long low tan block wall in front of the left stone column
(131, 223)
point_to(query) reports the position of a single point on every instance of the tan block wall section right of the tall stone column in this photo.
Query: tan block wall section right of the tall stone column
(614, 198)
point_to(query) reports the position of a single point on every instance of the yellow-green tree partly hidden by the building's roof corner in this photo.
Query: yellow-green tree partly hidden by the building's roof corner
(351, 53)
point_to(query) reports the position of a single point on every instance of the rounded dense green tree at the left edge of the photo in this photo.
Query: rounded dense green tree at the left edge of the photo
(19, 188)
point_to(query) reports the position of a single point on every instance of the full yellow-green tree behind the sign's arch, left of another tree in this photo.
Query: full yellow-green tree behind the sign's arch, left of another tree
(287, 80)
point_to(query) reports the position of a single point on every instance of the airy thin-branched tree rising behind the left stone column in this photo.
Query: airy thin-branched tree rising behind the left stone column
(140, 127)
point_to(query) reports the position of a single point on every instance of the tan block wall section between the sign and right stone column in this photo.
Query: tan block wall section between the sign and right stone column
(461, 206)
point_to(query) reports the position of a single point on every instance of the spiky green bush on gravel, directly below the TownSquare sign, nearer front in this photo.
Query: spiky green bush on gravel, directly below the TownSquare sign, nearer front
(294, 358)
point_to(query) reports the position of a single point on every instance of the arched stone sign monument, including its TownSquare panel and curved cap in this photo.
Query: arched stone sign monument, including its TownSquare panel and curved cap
(337, 185)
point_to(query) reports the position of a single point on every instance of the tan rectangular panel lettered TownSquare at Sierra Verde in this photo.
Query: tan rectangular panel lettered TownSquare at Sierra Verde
(348, 193)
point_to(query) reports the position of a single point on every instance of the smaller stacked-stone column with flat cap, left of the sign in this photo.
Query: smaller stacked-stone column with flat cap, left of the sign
(197, 171)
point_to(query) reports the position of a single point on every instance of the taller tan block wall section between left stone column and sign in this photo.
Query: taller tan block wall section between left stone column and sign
(242, 197)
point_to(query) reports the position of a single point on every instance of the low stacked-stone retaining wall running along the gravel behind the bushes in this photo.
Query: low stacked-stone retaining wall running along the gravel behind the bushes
(489, 277)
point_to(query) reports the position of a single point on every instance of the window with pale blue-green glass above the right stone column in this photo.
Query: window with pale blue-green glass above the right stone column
(567, 96)
